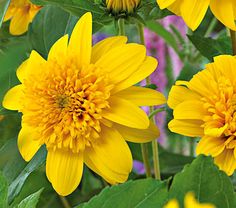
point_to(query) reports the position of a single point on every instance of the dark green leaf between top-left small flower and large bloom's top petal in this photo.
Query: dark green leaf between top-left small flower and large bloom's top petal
(49, 25)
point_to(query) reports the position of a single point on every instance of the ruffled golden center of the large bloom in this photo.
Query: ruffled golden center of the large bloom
(65, 104)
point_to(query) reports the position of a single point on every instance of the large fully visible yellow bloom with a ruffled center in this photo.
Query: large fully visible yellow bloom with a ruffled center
(80, 102)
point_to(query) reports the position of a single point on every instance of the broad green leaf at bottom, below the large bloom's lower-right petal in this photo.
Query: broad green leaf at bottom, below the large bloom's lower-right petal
(132, 194)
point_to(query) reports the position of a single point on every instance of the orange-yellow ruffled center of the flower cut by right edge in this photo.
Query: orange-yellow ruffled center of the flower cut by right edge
(221, 108)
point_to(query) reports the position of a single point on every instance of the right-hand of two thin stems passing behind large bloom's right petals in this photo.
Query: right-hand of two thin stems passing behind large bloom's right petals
(151, 109)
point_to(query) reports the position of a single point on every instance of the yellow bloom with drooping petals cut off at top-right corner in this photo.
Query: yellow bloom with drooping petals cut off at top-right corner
(193, 11)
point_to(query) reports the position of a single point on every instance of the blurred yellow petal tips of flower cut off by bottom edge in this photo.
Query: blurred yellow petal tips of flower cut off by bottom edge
(189, 202)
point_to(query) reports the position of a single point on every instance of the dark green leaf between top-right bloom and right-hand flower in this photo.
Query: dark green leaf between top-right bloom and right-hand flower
(209, 47)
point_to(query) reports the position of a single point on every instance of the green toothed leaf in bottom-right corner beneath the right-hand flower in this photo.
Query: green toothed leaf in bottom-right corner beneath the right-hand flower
(209, 184)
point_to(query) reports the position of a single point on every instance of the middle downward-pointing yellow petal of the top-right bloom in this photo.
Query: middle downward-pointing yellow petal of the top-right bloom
(193, 11)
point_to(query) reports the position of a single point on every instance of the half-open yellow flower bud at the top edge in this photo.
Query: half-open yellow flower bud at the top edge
(122, 5)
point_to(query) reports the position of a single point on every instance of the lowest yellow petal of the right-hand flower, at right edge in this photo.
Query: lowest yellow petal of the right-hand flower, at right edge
(226, 161)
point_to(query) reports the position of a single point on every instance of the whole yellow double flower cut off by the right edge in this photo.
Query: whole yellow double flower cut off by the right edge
(205, 107)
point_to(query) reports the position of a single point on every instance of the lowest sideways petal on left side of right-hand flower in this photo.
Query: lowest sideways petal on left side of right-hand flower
(190, 128)
